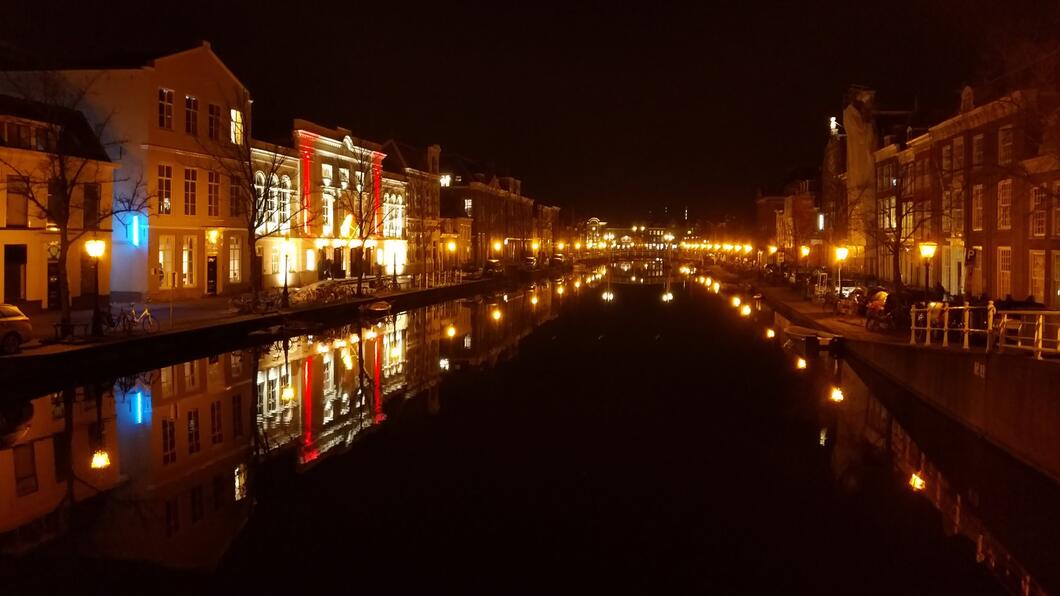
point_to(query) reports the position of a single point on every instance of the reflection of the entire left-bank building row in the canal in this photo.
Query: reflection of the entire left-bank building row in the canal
(185, 442)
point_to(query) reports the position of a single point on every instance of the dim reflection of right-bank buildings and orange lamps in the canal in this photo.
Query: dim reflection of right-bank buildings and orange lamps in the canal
(862, 422)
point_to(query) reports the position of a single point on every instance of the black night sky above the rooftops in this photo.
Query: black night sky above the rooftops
(606, 110)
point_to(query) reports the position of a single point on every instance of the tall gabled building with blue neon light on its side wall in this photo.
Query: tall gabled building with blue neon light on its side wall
(172, 113)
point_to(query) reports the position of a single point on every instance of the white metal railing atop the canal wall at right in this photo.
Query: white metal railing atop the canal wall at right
(1034, 331)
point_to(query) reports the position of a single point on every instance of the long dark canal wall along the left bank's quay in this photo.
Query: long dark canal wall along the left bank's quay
(31, 375)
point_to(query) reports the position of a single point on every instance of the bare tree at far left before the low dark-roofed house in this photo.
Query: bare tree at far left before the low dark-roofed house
(64, 182)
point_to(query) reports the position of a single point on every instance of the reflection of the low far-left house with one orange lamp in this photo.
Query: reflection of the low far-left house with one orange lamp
(47, 451)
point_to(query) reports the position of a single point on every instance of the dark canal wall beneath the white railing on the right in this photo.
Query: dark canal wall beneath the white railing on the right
(1012, 400)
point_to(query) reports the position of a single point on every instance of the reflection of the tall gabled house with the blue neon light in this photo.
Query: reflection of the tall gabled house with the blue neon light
(186, 436)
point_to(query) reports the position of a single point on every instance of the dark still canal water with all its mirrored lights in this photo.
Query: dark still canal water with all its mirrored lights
(540, 440)
